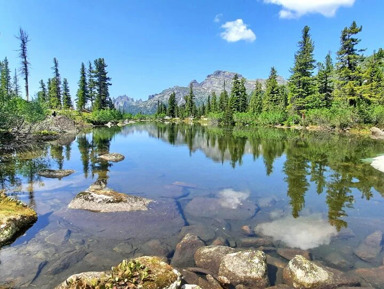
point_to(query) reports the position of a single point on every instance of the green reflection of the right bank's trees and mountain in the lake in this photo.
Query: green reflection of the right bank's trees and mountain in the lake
(331, 163)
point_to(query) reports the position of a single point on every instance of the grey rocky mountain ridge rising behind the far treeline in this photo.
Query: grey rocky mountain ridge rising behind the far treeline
(213, 83)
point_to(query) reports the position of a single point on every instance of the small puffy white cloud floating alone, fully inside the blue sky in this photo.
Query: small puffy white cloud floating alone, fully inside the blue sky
(236, 31)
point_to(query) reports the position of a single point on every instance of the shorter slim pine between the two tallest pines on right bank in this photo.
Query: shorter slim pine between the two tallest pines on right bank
(325, 81)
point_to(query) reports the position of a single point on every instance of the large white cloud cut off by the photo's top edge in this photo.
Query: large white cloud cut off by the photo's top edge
(298, 8)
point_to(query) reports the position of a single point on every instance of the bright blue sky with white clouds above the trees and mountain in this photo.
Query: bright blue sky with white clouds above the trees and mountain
(150, 45)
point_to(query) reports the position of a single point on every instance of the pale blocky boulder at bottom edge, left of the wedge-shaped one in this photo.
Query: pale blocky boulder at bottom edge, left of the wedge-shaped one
(246, 268)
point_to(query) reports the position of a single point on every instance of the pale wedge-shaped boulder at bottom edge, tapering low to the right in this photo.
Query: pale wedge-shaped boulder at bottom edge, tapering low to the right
(302, 273)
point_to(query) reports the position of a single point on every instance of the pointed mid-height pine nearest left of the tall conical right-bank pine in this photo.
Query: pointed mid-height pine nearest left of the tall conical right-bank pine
(271, 99)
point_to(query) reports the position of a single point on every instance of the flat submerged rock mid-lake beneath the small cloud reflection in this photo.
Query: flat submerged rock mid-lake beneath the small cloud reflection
(216, 208)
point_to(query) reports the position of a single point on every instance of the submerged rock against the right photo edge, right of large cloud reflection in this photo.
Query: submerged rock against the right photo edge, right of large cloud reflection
(371, 247)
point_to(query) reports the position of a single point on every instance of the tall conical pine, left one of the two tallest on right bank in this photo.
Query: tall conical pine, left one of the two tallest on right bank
(302, 83)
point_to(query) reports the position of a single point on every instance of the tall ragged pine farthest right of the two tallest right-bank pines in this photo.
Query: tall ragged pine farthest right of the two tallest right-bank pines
(348, 65)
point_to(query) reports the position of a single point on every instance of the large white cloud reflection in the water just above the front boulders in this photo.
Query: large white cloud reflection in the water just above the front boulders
(304, 232)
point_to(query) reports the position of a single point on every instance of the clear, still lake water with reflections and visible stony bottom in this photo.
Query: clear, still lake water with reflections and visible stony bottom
(306, 190)
